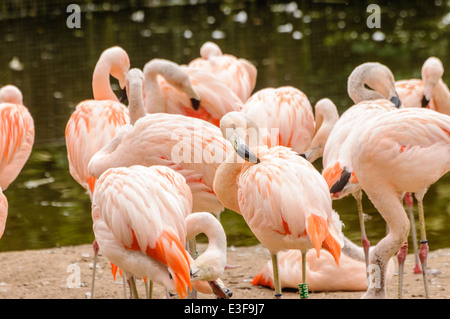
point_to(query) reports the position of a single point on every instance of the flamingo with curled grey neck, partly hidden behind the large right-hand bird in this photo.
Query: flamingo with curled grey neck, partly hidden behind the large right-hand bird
(337, 166)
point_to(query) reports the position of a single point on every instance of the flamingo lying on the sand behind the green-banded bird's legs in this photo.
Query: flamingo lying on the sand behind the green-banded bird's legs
(322, 273)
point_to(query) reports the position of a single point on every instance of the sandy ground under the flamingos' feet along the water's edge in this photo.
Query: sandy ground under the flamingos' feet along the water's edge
(52, 273)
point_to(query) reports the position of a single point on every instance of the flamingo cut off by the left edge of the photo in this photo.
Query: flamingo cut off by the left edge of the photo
(16, 142)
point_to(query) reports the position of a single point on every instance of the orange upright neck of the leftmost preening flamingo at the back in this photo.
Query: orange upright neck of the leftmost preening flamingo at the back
(101, 86)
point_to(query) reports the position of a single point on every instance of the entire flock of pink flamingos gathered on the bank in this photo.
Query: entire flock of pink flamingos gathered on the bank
(182, 143)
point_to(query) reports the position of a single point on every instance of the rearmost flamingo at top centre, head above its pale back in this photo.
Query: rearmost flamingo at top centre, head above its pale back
(236, 73)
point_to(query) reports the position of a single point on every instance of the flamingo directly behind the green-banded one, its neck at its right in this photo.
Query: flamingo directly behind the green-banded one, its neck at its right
(284, 116)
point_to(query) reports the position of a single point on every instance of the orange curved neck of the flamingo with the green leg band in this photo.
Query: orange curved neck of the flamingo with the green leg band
(225, 182)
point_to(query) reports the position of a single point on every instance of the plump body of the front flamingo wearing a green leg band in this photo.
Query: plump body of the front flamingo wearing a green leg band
(284, 210)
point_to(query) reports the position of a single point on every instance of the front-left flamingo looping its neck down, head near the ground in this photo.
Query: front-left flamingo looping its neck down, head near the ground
(142, 219)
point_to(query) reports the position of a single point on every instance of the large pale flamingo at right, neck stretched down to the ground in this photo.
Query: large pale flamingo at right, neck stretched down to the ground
(388, 159)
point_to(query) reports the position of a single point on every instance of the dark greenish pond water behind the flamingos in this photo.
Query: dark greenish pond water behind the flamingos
(310, 46)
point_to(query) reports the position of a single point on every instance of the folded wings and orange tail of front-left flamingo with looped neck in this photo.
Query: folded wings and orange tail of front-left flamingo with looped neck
(145, 209)
